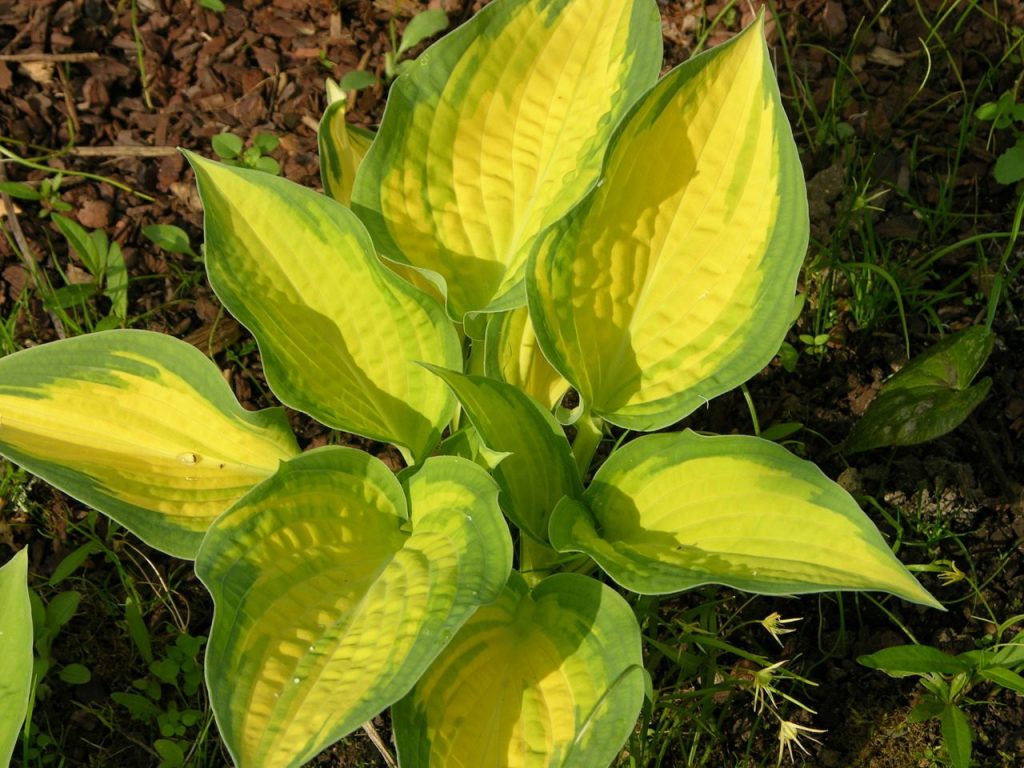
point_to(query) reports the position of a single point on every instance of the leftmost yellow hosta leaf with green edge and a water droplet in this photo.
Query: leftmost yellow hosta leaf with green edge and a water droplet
(141, 426)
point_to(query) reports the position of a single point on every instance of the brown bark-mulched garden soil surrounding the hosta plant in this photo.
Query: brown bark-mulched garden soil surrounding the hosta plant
(113, 89)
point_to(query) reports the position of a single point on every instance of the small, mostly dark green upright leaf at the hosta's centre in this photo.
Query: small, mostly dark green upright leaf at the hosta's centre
(540, 468)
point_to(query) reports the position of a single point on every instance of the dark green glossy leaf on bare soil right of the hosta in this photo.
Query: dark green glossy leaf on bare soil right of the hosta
(929, 397)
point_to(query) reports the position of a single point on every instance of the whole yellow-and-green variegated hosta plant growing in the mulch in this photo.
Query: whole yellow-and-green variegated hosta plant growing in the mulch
(538, 212)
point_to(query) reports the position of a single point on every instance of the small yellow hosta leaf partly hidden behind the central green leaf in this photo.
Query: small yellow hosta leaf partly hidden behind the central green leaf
(513, 356)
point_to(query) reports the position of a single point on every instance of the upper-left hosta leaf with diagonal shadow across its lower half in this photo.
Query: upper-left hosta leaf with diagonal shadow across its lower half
(338, 332)
